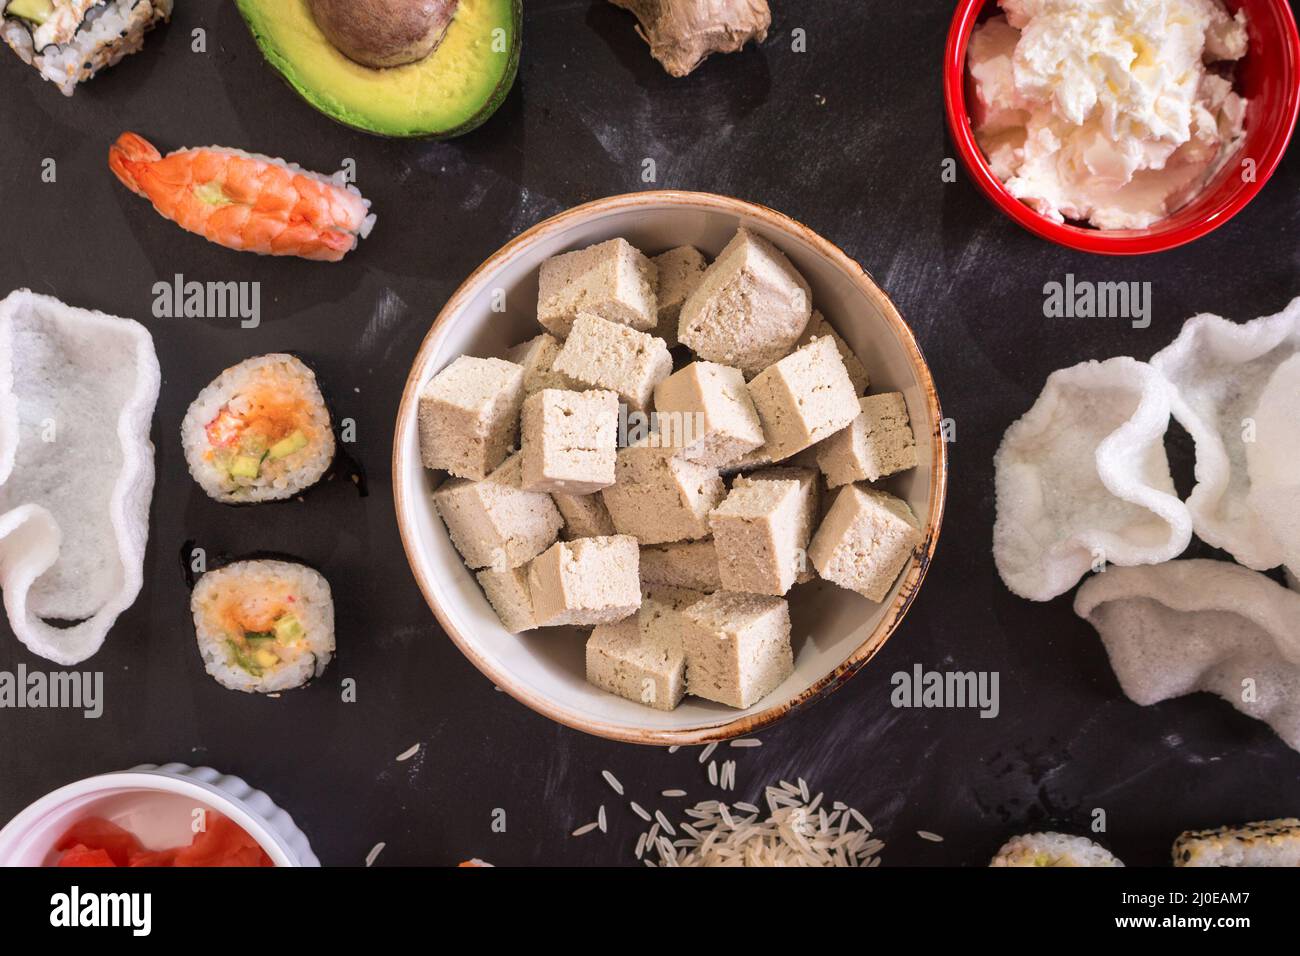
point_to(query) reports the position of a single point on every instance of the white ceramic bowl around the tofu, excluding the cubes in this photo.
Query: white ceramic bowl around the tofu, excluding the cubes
(835, 631)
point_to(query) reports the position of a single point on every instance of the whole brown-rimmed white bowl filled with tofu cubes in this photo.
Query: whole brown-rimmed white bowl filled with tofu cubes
(668, 466)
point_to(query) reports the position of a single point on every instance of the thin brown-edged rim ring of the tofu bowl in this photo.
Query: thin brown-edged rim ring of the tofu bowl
(912, 581)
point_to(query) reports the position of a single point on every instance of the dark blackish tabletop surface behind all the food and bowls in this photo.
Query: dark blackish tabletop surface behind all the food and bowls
(847, 139)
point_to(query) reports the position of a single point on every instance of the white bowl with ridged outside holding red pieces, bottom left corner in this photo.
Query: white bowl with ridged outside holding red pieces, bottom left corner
(155, 803)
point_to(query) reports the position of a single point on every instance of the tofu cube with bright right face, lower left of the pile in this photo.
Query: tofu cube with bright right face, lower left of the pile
(593, 581)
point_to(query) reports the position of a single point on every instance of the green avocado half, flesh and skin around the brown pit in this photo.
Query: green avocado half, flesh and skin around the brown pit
(448, 94)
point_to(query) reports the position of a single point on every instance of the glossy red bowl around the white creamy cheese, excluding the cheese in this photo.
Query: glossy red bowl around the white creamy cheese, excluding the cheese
(1269, 77)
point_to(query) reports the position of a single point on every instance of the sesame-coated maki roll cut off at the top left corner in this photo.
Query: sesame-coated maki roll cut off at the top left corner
(71, 41)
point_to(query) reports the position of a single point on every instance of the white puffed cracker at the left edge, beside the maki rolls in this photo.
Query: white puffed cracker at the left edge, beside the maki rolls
(77, 396)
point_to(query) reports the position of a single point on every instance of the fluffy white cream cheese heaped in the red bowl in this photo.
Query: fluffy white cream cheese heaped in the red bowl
(1104, 111)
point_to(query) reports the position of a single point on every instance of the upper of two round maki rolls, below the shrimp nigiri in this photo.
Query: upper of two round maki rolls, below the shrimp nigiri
(261, 432)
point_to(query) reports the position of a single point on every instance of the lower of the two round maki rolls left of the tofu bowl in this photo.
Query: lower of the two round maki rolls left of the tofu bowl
(265, 626)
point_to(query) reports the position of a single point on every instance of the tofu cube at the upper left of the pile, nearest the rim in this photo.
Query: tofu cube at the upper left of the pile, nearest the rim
(612, 280)
